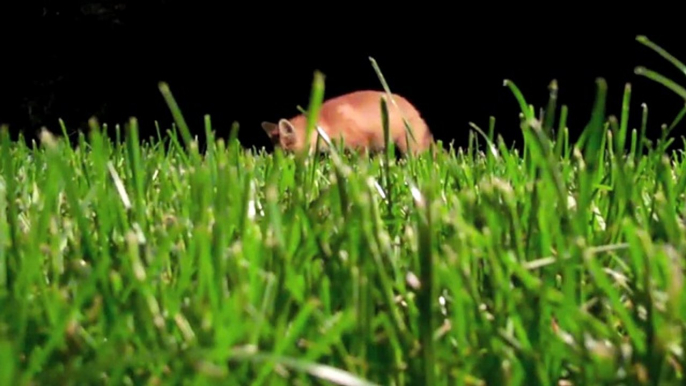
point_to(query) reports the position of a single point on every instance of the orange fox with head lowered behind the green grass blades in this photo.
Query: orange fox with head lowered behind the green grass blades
(356, 117)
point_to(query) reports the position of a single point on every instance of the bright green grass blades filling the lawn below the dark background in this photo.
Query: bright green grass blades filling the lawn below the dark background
(151, 262)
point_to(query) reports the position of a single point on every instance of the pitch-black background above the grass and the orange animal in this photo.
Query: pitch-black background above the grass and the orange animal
(251, 61)
